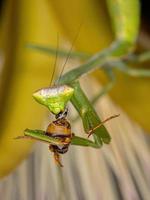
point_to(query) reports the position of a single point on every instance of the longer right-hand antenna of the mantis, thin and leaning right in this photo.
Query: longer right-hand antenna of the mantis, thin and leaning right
(69, 52)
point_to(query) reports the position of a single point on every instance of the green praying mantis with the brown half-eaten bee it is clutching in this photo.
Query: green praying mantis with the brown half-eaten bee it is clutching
(68, 88)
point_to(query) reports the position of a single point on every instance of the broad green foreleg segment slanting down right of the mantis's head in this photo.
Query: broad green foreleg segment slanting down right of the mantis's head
(88, 115)
